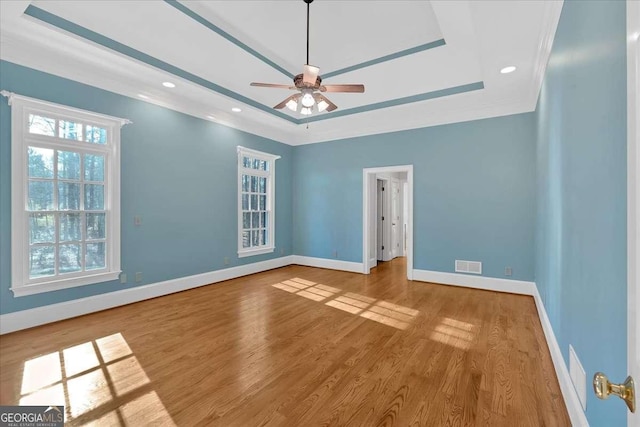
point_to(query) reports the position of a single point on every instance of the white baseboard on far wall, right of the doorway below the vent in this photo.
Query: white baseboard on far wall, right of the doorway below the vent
(476, 282)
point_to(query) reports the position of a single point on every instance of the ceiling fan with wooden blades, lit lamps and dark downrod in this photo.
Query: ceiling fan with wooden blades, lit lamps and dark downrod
(309, 85)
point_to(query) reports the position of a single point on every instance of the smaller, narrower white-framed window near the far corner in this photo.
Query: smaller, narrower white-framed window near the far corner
(256, 187)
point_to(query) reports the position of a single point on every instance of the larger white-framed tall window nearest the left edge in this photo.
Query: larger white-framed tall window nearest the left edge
(65, 196)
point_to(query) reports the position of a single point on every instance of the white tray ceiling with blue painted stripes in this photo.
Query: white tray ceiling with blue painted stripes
(429, 62)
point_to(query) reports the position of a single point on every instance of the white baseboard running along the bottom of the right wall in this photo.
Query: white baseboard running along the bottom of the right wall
(571, 400)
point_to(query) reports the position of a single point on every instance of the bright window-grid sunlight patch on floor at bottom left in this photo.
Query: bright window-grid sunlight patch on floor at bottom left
(85, 377)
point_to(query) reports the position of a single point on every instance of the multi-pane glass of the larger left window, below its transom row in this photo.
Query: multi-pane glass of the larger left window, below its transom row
(67, 213)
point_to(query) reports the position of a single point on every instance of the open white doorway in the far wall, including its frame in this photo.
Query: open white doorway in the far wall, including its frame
(400, 237)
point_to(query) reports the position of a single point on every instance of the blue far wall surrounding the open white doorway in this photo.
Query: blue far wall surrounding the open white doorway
(474, 194)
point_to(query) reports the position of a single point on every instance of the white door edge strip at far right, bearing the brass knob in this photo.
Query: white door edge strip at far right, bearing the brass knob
(633, 200)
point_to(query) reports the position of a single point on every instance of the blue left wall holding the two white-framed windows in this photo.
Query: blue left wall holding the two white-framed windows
(179, 174)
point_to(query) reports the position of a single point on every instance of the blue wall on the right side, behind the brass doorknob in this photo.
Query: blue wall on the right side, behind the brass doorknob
(581, 194)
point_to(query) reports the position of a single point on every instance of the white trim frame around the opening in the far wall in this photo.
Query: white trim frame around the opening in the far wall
(368, 205)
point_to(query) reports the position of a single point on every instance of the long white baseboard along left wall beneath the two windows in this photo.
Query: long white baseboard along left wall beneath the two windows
(24, 319)
